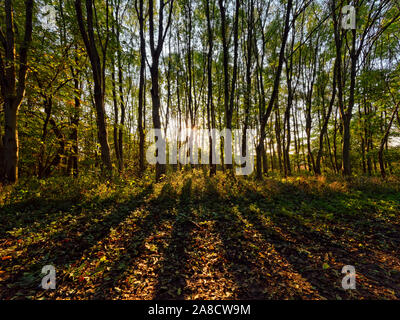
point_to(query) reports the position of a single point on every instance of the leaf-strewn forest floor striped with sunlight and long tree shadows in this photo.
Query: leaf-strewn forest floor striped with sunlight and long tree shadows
(194, 237)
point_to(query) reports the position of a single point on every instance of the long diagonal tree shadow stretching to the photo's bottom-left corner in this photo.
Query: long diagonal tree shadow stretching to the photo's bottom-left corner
(82, 234)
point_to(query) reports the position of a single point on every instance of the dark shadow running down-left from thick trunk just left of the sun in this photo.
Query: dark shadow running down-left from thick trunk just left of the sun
(134, 231)
